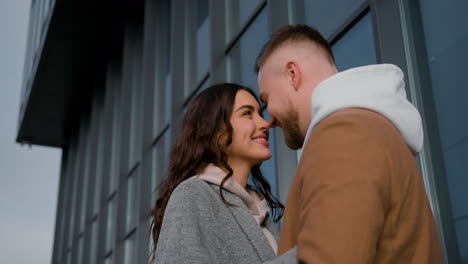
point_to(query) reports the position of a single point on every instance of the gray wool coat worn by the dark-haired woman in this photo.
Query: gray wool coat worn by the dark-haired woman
(198, 227)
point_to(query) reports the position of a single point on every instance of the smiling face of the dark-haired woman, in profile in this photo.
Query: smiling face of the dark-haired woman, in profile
(250, 131)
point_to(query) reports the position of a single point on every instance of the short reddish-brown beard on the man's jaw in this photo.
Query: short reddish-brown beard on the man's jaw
(290, 125)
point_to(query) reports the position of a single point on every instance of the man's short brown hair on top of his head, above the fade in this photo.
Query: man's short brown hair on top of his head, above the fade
(293, 33)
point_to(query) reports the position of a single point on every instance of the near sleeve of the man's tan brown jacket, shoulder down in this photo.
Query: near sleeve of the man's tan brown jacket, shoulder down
(343, 195)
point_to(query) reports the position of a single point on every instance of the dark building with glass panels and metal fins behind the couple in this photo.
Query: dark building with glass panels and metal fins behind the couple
(108, 82)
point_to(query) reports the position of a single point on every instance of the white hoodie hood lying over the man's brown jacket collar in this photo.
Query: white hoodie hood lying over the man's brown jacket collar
(380, 88)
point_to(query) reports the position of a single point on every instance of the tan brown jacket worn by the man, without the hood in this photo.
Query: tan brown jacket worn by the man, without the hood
(358, 197)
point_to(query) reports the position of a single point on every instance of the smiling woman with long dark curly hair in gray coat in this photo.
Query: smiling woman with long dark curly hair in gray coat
(206, 212)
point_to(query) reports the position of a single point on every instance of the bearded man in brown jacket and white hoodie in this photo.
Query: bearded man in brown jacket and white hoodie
(357, 195)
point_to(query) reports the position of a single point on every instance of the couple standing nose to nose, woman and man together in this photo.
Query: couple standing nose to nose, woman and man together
(356, 196)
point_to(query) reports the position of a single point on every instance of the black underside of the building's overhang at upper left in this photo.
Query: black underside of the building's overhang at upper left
(81, 36)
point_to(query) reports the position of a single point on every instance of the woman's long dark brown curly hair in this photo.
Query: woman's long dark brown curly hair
(205, 134)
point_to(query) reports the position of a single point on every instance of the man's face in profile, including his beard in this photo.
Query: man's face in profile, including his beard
(276, 91)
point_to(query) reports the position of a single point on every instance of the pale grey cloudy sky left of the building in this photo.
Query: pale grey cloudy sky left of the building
(28, 176)
